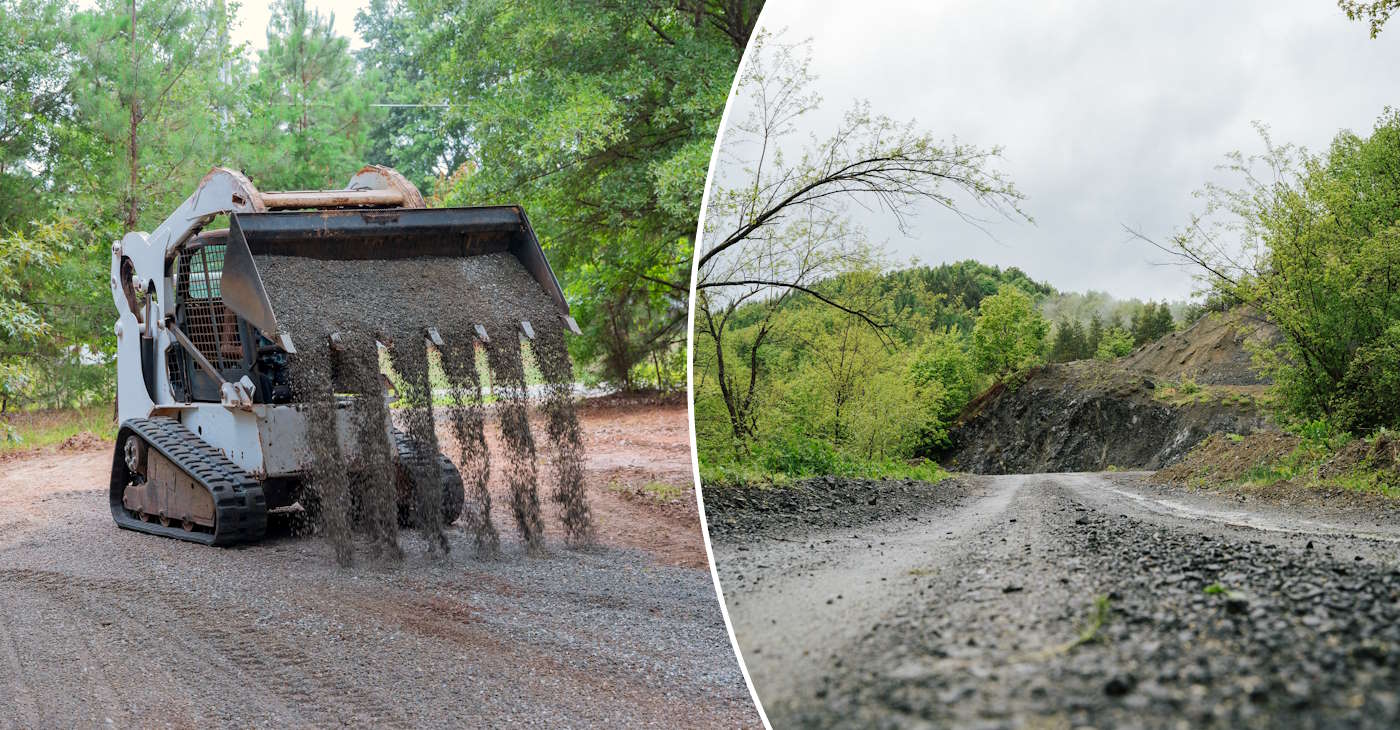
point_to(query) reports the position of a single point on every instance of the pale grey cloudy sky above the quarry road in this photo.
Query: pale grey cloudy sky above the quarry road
(1109, 113)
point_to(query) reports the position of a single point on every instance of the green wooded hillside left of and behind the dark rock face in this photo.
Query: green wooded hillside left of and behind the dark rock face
(836, 393)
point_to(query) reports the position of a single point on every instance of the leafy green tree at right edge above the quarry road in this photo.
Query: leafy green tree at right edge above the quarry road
(1321, 249)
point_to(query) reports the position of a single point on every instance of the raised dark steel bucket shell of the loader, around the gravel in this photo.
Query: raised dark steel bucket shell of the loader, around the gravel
(373, 235)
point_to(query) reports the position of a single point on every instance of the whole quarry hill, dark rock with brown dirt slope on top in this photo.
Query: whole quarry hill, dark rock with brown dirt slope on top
(1093, 415)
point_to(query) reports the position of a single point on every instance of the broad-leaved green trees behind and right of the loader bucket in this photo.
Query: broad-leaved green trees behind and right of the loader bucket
(600, 118)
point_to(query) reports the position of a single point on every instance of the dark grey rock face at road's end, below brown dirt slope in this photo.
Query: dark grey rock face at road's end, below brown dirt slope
(1088, 417)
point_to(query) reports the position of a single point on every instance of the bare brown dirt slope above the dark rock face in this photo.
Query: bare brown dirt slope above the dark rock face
(1212, 352)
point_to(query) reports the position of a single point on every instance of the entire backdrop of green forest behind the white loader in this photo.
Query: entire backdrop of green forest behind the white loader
(597, 117)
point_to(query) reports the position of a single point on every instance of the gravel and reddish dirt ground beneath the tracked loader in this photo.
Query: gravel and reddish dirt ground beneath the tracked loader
(107, 628)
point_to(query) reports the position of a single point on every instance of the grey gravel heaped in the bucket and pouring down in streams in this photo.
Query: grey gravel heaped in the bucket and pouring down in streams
(339, 313)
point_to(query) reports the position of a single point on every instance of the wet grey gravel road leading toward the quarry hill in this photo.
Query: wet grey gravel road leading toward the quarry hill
(1069, 600)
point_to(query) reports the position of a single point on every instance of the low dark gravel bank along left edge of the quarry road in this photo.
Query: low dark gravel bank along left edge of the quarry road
(820, 504)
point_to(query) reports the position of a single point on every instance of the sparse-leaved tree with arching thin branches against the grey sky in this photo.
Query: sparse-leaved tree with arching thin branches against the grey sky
(776, 225)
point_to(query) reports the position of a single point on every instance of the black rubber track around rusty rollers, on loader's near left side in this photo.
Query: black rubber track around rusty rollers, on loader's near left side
(240, 508)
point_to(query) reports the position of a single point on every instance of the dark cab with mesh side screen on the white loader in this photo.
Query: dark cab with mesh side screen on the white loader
(227, 341)
